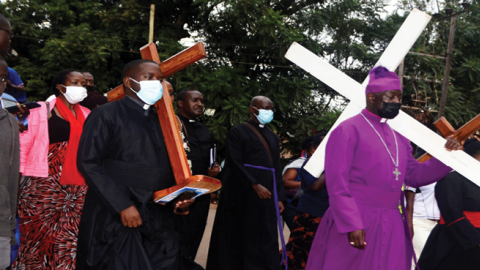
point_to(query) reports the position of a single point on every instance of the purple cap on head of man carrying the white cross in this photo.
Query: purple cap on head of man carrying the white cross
(381, 79)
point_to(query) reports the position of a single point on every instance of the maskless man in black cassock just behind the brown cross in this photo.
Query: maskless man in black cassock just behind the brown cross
(198, 143)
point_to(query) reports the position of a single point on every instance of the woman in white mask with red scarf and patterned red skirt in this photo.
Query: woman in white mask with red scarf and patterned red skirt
(52, 192)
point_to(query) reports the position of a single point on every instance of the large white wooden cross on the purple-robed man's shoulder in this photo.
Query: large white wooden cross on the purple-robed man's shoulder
(355, 92)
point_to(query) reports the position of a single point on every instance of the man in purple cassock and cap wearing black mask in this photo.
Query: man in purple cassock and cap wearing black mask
(366, 164)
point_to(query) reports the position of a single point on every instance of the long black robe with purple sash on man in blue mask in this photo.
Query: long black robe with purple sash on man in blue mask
(245, 233)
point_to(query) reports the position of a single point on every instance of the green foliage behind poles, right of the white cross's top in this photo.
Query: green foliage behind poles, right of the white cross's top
(463, 101)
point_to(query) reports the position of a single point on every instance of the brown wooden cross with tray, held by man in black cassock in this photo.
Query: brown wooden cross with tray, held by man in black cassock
(166, 116)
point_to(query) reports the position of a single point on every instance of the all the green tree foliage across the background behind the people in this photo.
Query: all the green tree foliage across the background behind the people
(246, 42)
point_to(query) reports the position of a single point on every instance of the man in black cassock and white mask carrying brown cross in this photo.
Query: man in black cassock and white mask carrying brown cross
(123, 157)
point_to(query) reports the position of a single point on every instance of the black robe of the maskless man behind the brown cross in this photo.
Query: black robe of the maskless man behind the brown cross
(192, 226)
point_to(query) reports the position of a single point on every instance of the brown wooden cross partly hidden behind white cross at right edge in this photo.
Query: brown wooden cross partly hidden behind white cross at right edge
(460, 135)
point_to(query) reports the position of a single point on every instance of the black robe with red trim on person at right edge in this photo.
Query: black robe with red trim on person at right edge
(455, 246)
